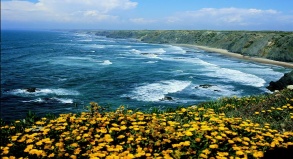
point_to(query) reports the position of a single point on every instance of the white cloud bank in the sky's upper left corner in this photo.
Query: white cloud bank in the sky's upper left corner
(63, 10)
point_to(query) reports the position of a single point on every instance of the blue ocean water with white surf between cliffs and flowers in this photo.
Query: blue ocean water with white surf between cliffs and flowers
(71, 69)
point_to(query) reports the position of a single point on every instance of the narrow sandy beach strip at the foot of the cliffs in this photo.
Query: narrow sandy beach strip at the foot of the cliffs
(236, 55)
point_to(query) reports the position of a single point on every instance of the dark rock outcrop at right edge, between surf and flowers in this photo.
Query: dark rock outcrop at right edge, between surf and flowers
(282, 83)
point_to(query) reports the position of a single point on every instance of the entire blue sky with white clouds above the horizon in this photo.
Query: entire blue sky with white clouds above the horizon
(148, 14)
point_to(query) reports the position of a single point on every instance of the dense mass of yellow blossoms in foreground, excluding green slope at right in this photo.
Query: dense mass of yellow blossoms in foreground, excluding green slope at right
(194, 132)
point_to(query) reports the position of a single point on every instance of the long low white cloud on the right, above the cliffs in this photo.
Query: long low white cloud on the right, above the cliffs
(227, 17)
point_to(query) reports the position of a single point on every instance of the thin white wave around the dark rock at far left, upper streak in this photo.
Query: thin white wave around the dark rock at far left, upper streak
(42, 92)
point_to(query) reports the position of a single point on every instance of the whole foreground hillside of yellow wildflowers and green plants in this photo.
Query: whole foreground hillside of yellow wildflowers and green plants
(234, 127)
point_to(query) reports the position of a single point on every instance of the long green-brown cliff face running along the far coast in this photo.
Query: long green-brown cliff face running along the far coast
(272, 45)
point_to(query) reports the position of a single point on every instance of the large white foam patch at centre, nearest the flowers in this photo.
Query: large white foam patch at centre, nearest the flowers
(157, 91)
